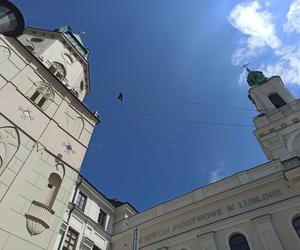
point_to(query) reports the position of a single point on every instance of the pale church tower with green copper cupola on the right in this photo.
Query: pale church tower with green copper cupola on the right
(277, 125)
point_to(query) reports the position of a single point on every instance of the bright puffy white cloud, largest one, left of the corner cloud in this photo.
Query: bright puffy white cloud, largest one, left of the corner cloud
(257, 25)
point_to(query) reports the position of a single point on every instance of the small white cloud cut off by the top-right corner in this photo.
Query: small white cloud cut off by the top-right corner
(293, 18)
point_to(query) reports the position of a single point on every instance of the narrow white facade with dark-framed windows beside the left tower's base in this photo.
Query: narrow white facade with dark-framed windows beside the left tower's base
(90, 219)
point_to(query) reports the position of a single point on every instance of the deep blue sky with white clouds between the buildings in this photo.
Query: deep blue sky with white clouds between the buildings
(186, 120)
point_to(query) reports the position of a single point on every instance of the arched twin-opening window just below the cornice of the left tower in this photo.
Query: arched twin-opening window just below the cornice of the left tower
(42, 96)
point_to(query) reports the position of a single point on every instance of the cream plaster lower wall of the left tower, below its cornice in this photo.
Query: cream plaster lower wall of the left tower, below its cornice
(33, 144)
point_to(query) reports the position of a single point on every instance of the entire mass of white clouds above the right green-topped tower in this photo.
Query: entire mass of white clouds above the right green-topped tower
(256, 24)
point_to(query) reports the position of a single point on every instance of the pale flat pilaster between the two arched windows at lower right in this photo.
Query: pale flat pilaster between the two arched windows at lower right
(267, 233)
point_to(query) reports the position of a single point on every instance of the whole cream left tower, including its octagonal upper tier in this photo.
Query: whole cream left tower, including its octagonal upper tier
(44, 132)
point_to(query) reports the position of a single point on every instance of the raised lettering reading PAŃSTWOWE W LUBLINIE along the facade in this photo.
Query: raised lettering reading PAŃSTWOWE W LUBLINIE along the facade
(212, 214)
